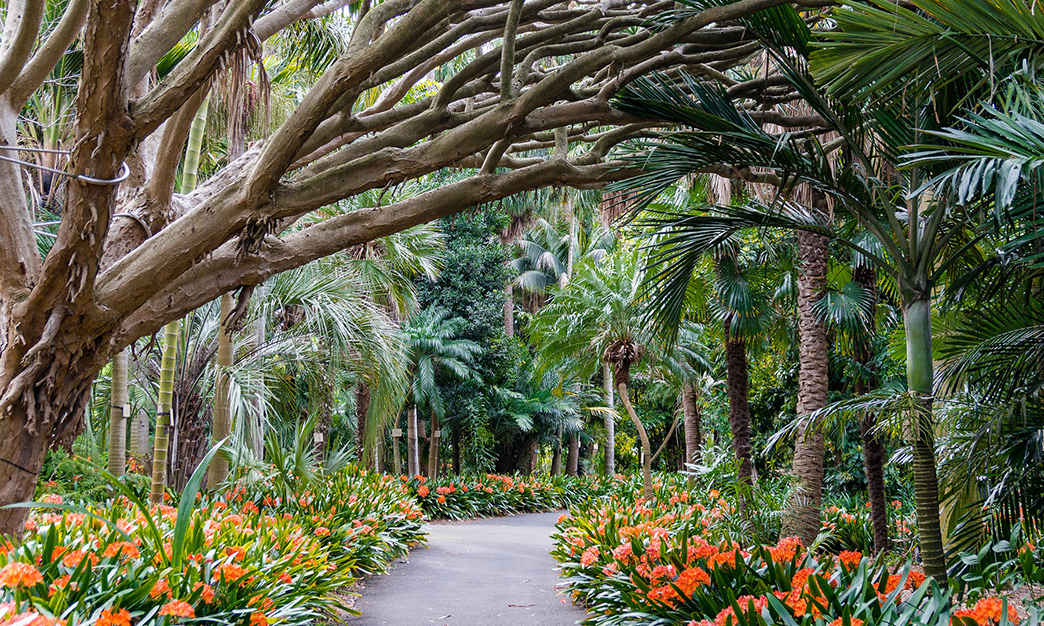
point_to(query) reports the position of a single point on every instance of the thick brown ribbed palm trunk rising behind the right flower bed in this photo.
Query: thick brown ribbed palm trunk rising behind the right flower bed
(804, 518)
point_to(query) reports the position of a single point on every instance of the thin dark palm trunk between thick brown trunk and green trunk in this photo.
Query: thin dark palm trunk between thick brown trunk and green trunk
(873, 449)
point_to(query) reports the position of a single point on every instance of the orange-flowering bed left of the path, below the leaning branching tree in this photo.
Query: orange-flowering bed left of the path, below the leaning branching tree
(232, 560)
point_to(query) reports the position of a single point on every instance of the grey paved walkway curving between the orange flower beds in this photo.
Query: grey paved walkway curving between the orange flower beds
(487, 573)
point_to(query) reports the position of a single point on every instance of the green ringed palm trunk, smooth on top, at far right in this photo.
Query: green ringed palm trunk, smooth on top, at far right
(917, 315)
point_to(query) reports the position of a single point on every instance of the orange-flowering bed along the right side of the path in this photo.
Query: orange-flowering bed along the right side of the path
(634, 563)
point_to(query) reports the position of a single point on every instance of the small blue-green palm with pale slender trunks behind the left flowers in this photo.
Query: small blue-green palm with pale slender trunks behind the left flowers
(434, 348)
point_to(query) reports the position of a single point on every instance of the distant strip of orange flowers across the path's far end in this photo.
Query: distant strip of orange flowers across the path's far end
(491, 495)
